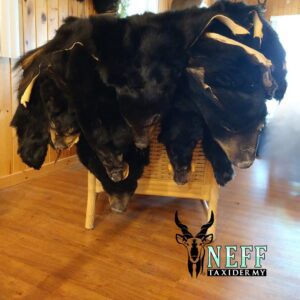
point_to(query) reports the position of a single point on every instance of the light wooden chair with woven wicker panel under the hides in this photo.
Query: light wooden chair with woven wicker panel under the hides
(158, 180)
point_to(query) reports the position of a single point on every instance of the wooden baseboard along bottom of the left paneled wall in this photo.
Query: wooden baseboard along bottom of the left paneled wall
(28, 174)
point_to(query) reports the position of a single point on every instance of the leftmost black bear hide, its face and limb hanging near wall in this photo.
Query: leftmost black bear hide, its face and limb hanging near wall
(48, 109)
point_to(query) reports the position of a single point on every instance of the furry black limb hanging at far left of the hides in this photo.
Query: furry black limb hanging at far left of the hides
(32, 130)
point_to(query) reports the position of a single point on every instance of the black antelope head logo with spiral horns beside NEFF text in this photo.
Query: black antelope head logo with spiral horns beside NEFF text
(195, 245)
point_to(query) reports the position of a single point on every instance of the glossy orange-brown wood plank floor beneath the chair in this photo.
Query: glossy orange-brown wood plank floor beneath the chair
(45, 252)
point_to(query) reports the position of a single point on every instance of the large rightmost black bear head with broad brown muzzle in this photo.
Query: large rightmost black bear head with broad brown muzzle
(237, 113)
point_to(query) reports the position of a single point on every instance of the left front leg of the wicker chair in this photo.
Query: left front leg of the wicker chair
(91, 199)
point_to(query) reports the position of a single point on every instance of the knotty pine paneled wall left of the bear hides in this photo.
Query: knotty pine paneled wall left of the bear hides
(39, 20)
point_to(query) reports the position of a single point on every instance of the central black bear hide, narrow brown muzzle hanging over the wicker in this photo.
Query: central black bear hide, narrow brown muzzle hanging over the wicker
(143, 57)
